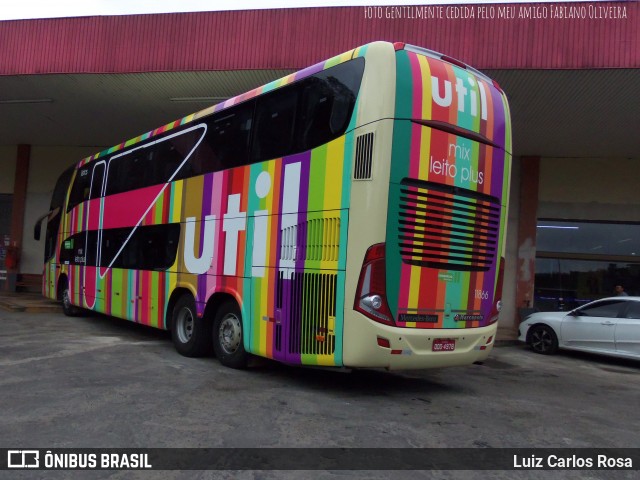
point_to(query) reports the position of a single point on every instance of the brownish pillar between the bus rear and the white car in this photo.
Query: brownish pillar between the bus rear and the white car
(528, 216)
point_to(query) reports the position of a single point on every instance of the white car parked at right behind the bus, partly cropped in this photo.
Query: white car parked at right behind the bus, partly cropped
(610, 326)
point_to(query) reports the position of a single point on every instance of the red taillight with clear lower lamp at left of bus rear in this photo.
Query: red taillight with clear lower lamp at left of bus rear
(371, 295)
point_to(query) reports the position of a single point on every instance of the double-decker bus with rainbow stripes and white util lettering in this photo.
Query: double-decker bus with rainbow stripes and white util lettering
(351, 214)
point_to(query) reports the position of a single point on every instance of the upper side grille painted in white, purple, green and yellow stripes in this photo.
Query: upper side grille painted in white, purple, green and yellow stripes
(316, 239)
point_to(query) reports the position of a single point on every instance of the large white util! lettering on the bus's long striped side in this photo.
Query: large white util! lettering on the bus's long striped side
(234, 221)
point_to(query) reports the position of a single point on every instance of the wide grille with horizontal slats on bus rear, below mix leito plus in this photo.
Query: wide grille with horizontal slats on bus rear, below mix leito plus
(446, 227)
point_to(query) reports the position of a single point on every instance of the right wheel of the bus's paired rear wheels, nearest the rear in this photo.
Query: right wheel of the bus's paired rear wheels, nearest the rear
(228, 341)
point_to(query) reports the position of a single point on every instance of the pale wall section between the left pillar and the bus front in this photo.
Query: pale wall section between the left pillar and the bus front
(45, 166)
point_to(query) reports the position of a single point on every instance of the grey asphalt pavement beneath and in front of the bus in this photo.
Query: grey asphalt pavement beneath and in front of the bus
(100, 382)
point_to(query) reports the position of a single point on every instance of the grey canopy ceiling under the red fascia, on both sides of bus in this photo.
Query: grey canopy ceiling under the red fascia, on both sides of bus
(555, 113)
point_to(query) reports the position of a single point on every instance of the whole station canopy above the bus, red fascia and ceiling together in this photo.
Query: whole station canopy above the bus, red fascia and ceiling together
(97, 81)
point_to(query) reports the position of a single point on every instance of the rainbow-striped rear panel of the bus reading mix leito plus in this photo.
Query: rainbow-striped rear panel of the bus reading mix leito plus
(441, 93)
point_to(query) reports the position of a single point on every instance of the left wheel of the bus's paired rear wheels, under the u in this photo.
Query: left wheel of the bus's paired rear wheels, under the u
(191, 334)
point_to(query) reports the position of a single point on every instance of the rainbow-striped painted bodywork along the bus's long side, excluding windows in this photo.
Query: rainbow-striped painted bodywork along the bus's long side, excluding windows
(278, 231)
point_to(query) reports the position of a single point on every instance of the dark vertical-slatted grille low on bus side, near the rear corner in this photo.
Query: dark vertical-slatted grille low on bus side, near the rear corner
(312, 313)
